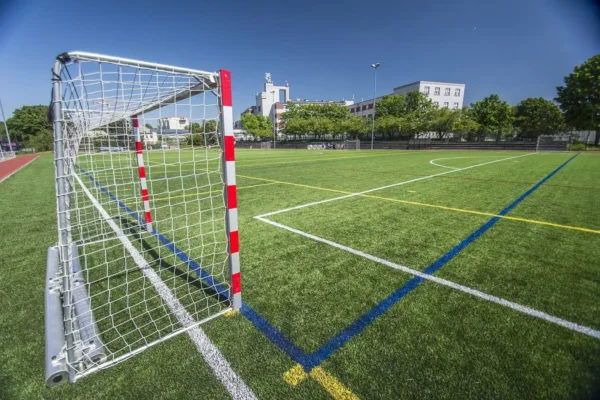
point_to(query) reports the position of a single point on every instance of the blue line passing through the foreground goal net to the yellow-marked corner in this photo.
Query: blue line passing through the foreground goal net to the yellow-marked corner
(272, 333)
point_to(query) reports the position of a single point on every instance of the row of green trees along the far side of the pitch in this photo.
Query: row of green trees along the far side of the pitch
(576, 107)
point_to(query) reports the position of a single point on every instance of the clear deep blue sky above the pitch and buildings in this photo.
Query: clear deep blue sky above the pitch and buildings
(515, 48)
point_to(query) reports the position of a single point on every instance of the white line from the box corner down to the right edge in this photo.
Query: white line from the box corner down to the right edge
(465, 289)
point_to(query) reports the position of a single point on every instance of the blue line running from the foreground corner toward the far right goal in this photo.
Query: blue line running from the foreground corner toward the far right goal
(366, 319)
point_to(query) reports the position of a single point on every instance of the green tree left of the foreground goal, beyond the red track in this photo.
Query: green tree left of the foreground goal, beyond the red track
(28, 121)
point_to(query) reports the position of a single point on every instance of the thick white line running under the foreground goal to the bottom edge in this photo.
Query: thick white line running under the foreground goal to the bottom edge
(232, 382)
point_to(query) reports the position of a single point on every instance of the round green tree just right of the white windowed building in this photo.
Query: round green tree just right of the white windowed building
(494, 116)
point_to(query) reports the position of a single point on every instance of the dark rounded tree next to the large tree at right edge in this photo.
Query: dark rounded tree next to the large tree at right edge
(535, 116)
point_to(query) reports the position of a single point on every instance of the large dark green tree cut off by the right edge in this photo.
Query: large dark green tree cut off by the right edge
(580, 97)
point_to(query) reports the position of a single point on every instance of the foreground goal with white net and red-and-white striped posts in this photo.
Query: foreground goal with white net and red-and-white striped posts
(147, 240)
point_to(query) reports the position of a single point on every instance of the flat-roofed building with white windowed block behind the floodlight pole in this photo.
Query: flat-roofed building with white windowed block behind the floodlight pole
(442, 94)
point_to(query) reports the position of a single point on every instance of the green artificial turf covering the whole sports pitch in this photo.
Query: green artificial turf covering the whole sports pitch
(434, 343)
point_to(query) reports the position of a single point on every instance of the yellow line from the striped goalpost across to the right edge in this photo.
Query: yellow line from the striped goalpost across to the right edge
(416, 203)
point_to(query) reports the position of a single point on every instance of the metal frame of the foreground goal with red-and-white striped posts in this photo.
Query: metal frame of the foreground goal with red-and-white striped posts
(62, 258)
